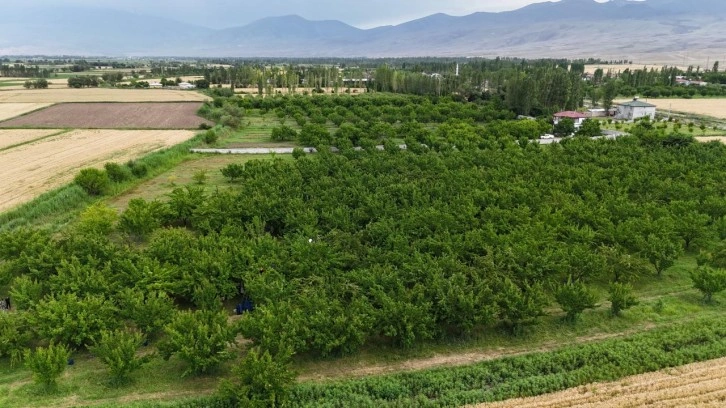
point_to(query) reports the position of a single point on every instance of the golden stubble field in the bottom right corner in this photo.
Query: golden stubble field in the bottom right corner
(694, 385)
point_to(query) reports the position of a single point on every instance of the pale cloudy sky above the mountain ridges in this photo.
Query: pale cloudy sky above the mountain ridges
(229, 13)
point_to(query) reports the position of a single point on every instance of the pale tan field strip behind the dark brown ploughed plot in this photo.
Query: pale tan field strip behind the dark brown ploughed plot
(99, 95)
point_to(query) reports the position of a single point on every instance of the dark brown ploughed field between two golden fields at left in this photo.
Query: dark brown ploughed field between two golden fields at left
(170, 115)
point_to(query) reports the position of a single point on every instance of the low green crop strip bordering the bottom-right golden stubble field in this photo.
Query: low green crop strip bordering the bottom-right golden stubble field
(513, 377)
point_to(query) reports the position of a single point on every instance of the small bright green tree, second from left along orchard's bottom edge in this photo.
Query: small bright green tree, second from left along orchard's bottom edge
(117, 349)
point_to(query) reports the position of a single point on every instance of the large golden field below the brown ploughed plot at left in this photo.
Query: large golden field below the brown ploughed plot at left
(29, 170)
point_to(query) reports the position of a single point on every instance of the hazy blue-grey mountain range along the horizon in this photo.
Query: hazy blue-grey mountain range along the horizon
(652, 30)
